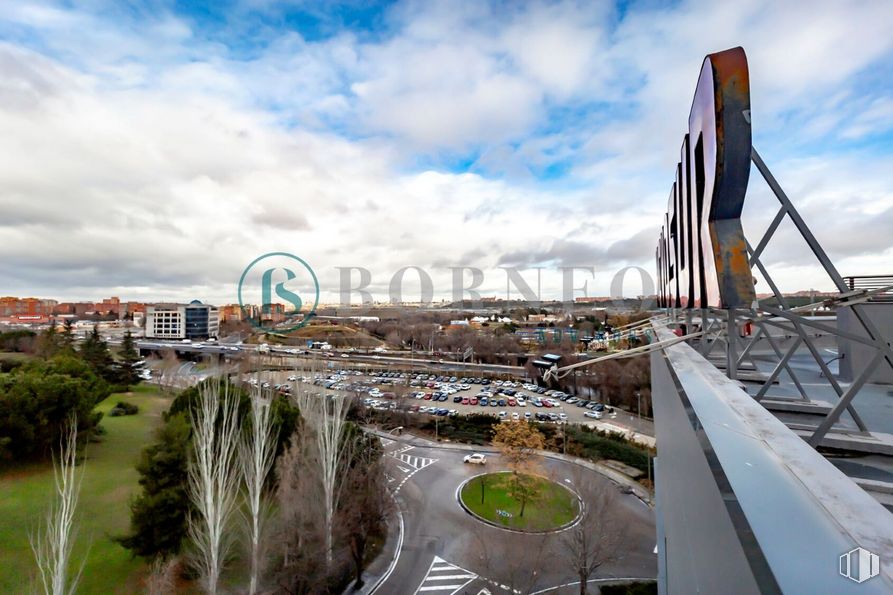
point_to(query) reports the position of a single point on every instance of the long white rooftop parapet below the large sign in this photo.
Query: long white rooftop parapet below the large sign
(732, 477)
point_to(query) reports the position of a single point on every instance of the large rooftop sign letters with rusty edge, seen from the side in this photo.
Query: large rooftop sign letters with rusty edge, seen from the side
(706, 260)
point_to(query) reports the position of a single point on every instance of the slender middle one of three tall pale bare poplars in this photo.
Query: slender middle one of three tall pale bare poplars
(256, 453)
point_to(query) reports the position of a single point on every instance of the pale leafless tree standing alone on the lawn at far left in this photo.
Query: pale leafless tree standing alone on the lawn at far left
(53, 542)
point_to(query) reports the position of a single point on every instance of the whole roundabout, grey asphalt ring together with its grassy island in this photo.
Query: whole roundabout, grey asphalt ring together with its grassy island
(444, 546)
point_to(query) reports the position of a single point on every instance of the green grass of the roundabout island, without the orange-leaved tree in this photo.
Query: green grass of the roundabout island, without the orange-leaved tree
(553, 507)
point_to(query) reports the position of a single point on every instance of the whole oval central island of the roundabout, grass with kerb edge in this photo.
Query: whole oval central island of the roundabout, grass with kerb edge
(522, 502)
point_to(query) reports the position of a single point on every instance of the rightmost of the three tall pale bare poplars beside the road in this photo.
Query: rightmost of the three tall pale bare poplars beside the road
(324, 419)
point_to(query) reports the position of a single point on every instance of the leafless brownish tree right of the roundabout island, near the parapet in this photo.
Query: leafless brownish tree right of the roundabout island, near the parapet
(599, 538)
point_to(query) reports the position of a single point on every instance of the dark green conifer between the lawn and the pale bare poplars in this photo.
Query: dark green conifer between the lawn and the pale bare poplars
(158, 514)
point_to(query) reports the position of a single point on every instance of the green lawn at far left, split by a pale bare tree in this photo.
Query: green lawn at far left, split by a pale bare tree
(110, 480)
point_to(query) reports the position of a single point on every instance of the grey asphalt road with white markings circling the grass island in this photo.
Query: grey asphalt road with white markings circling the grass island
(441, 550)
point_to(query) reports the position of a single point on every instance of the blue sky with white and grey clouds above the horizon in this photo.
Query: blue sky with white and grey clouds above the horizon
(152, 150)
